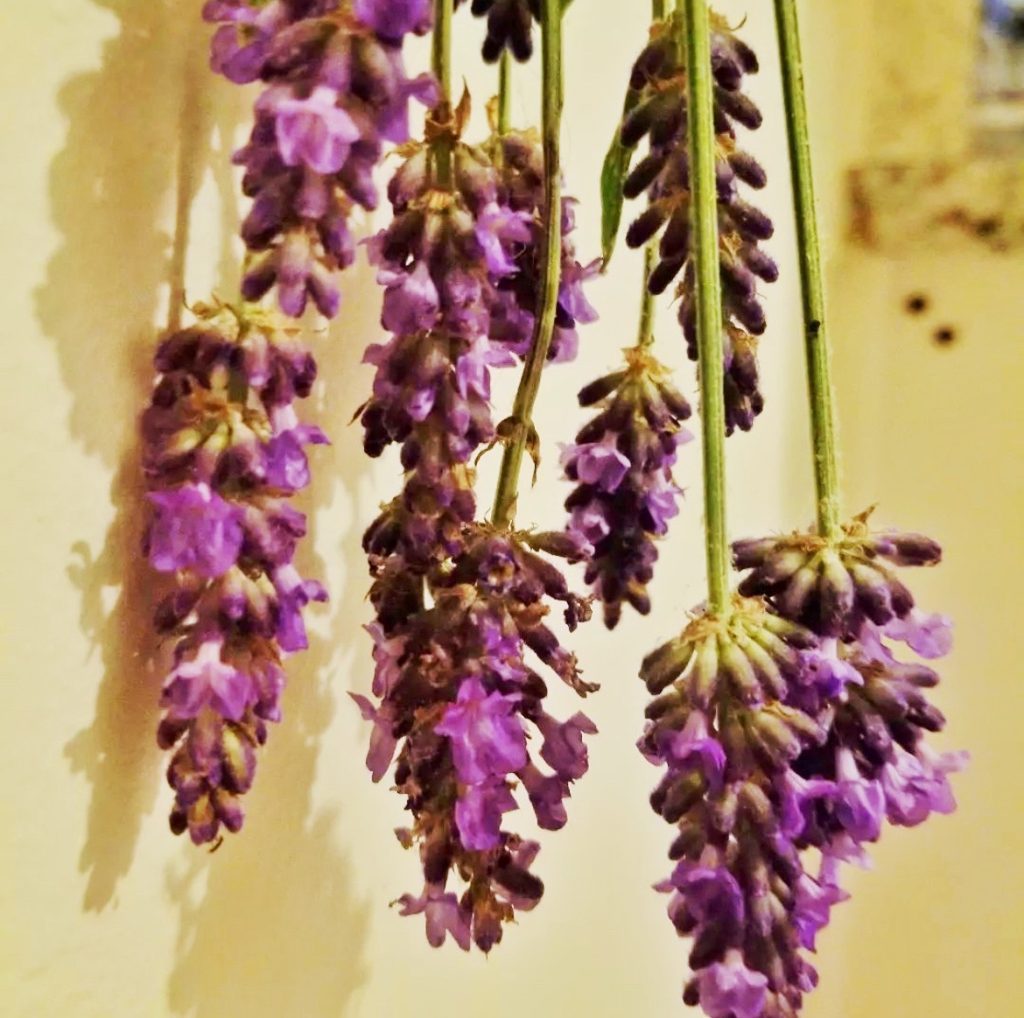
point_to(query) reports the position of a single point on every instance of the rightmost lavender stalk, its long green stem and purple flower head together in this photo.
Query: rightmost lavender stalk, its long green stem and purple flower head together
(840, 581)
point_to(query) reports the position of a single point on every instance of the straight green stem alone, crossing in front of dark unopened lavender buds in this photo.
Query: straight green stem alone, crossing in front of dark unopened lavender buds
(696, 29)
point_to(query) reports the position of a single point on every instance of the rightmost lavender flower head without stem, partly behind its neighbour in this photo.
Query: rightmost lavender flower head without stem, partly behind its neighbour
(847, 590)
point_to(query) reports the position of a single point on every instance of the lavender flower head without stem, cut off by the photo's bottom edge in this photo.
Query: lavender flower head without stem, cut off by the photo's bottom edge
(724, 729)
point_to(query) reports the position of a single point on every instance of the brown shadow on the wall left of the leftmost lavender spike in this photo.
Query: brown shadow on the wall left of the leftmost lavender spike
(134, 125)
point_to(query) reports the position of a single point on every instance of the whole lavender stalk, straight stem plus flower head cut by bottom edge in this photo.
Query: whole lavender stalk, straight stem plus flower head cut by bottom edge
(723, 725)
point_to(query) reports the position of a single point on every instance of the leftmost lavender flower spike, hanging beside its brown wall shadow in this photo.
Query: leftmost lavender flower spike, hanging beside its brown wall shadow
(225, 453)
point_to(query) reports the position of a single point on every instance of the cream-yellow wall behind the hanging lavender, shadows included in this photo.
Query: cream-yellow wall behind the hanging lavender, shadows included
(117, 198)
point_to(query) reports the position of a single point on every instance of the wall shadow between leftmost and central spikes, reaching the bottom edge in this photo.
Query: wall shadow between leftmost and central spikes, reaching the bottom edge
(270, 925)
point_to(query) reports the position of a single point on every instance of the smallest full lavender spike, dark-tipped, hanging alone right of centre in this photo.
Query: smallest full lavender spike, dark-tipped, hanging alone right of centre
(622, 465)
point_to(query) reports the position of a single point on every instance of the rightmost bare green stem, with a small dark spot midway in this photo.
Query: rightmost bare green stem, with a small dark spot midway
(817, 337)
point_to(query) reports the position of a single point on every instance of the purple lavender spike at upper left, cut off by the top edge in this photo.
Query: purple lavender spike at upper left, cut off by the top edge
(336, 92)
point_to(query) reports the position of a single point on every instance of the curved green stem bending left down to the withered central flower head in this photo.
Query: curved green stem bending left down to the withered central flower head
(551, 253)
